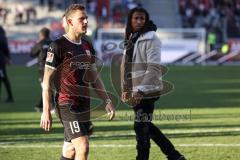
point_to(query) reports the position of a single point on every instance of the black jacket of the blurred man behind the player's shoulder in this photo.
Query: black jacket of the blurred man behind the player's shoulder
(40, 51)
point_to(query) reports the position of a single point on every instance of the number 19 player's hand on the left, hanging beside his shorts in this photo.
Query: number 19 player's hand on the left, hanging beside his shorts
(46, 121)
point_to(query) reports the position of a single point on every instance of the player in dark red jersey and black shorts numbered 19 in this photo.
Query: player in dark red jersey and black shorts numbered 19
(70, 64)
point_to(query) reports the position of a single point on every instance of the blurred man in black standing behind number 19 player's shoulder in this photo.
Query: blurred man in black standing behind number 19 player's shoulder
(40, 51)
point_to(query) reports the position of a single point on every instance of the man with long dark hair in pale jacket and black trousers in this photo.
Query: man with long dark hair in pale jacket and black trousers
(141, 83)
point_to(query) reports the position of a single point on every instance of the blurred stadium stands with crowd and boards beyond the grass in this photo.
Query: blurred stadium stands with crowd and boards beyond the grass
(218, 18)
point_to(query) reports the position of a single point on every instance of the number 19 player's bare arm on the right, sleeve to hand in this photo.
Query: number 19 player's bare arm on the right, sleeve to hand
(101, 91)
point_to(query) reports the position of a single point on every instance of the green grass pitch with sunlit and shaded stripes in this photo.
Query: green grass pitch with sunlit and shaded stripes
(201, 116)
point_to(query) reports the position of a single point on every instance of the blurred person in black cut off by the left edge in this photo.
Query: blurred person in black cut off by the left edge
(4, 59)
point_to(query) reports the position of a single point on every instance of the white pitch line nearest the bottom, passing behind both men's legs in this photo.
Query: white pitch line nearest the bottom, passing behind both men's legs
(118, 145)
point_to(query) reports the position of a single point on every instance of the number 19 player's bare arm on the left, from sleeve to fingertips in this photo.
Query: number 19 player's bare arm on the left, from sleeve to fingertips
(47, 92)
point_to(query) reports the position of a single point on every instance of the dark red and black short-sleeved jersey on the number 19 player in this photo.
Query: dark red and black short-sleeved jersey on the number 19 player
(72, 62)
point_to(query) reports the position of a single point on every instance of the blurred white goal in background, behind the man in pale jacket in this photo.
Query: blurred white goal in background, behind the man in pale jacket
(176, 43)
